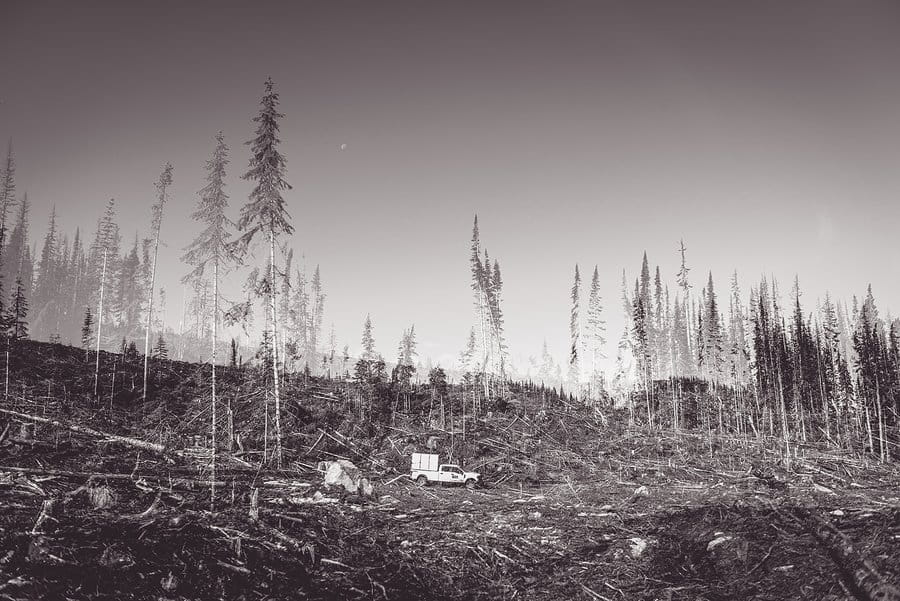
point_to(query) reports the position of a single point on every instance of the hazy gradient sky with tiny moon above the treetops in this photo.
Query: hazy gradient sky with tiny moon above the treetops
(766, 135)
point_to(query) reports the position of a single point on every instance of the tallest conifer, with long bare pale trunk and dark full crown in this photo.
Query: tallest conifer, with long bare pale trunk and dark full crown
(266, 214)
